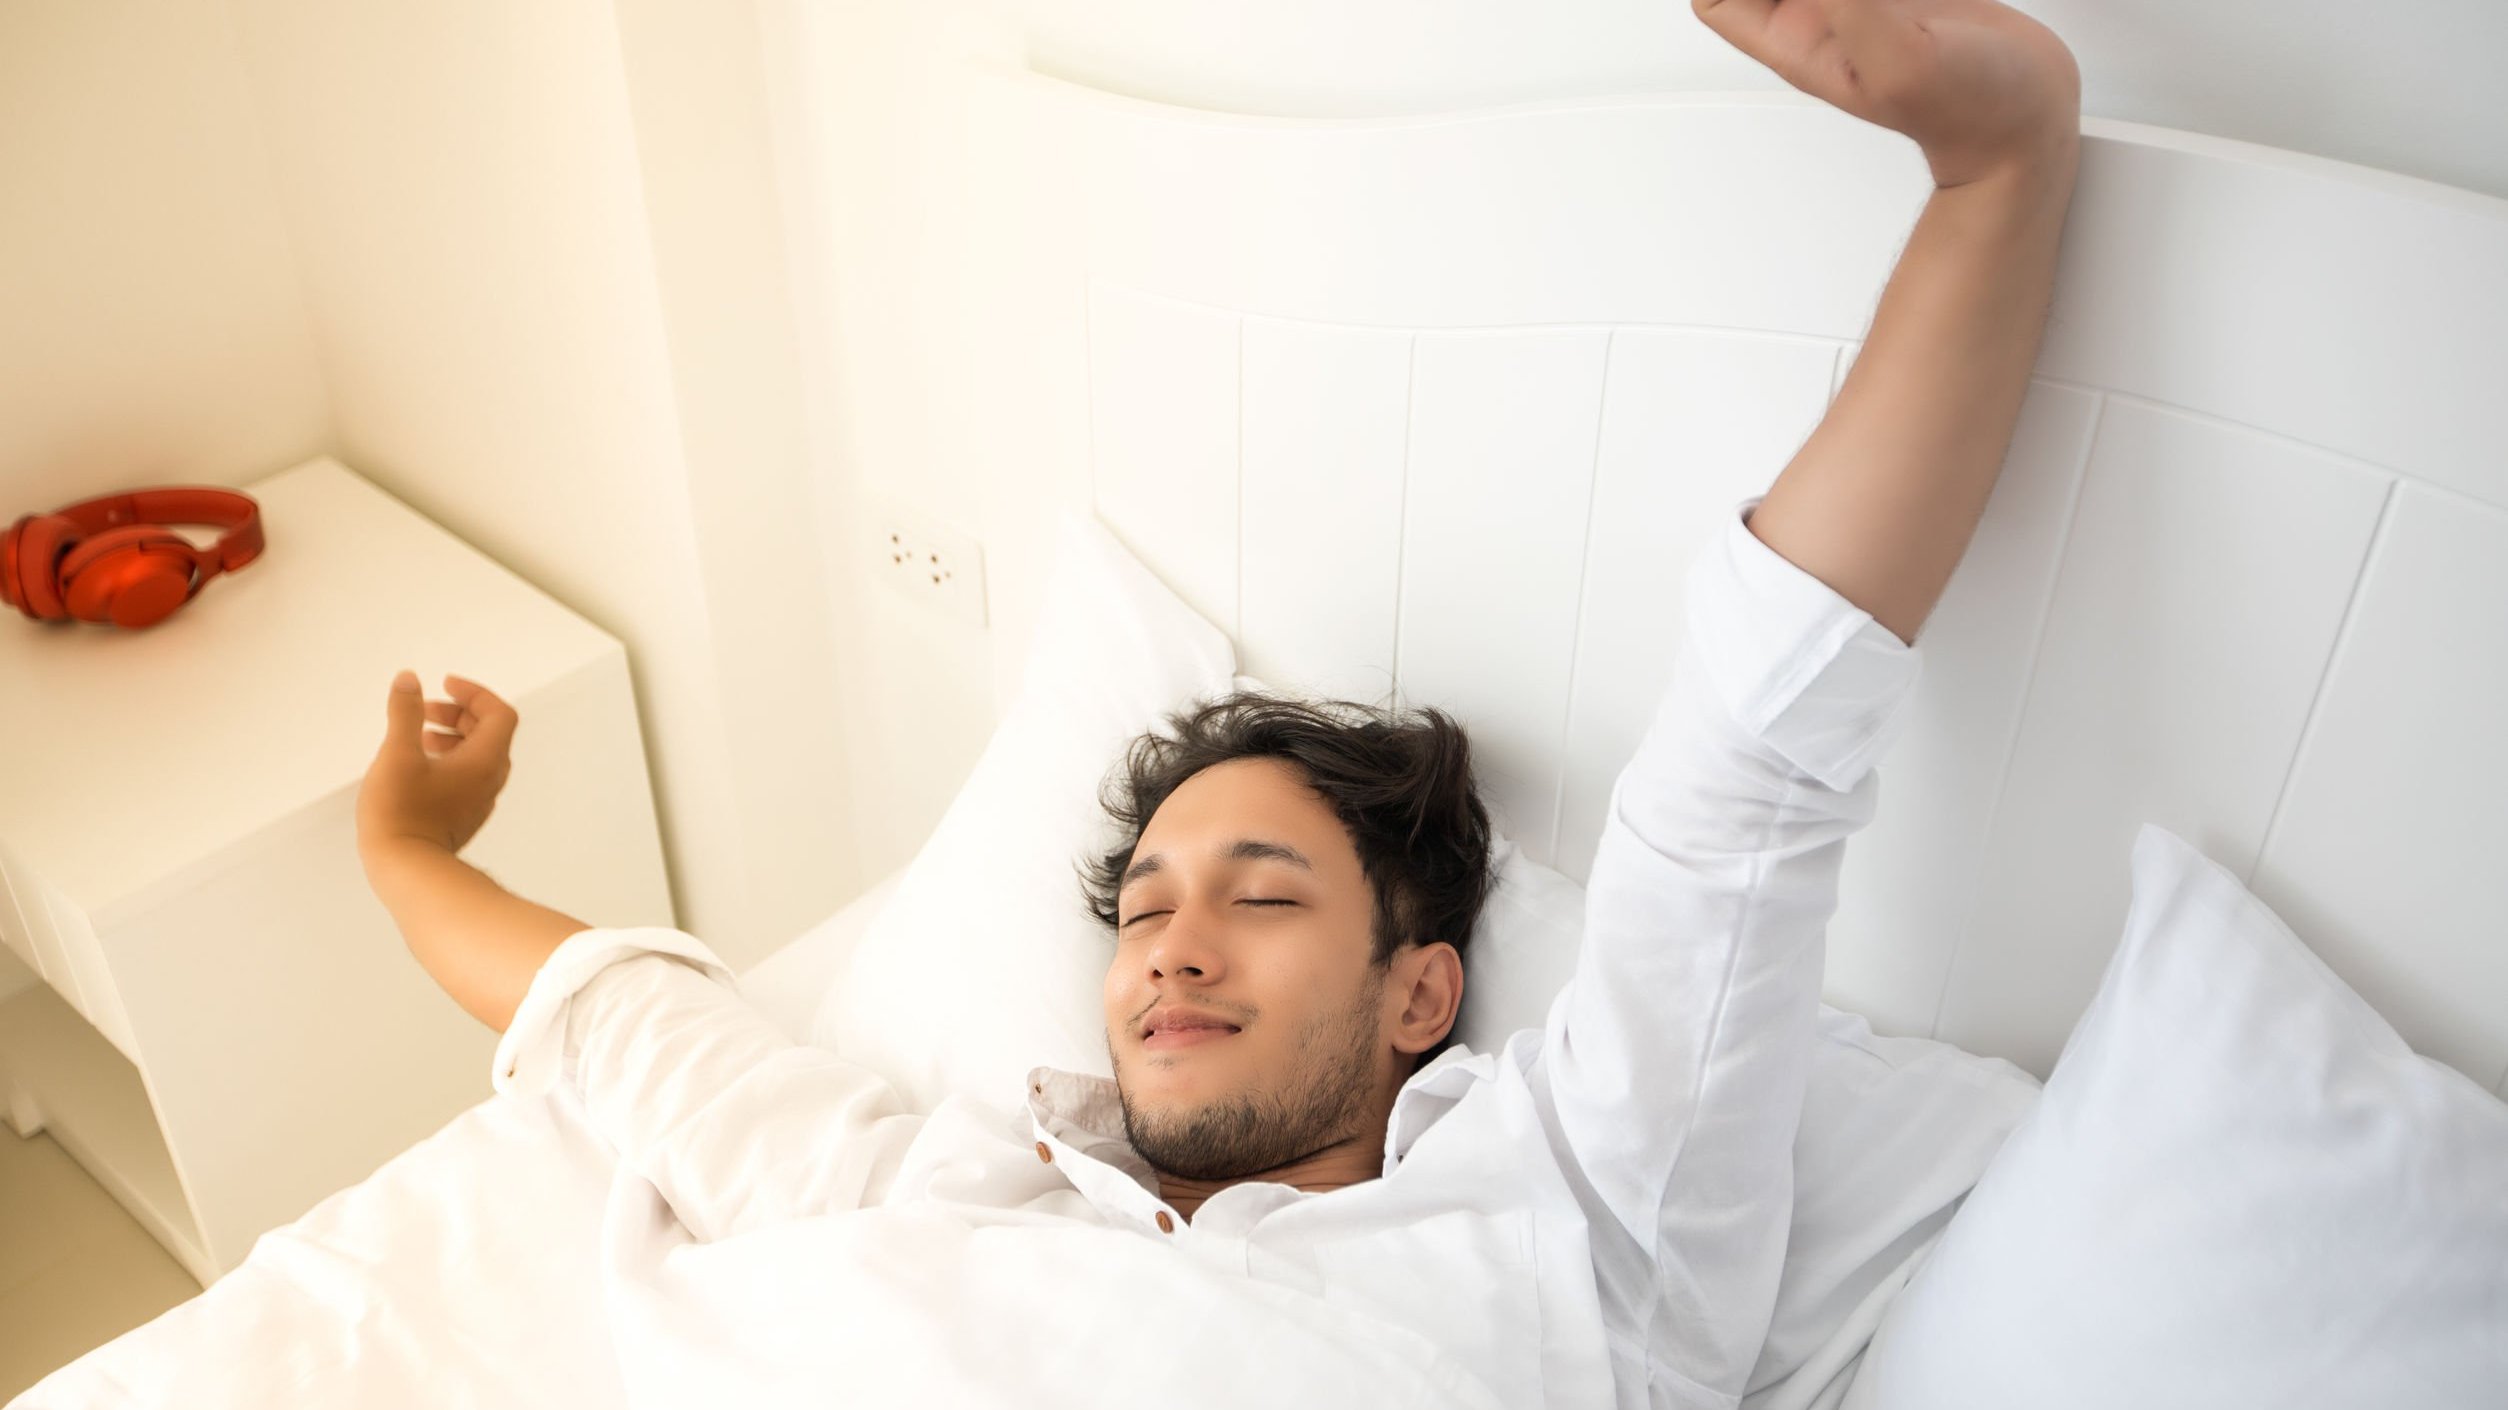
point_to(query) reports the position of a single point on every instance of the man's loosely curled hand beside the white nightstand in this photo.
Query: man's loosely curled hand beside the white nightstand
(435, 787)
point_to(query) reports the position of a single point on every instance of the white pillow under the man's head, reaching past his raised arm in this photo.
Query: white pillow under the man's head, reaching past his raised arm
(987, 965)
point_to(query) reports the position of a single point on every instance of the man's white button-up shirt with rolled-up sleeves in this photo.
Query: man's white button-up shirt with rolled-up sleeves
(1591, 1216)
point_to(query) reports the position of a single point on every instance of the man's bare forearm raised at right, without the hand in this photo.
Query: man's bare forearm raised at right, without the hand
(1885, 496)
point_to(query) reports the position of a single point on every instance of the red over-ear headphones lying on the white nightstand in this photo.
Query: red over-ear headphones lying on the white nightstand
(112, 558)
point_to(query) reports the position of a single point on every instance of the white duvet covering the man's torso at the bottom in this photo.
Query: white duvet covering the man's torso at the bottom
(500, 1263)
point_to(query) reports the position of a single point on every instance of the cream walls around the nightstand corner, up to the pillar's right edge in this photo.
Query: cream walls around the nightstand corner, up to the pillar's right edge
(523, 267)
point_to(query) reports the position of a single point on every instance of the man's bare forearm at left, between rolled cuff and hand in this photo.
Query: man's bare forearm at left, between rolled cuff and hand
(480, 942)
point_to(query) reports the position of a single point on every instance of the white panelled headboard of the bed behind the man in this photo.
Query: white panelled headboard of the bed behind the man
(1446, 405)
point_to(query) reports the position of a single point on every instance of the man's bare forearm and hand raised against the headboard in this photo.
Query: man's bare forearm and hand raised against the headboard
(1885, 496)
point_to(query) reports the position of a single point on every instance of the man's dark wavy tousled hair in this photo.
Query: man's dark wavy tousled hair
(1401, 782)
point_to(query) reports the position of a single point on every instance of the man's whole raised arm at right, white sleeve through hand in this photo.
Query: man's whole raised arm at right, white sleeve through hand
(1677, 1060)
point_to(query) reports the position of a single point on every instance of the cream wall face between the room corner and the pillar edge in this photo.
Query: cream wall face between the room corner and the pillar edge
(470, 225)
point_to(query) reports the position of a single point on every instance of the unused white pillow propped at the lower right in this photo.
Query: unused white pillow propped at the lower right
(2241, 1188)
